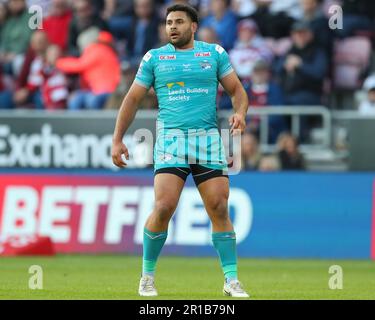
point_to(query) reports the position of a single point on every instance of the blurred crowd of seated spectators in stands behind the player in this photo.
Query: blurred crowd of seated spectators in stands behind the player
(290, 52)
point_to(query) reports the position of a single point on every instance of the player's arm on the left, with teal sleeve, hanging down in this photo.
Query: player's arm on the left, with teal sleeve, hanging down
(142, 83)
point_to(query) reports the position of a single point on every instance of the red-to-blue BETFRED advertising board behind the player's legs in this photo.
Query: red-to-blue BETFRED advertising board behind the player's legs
(294, 215)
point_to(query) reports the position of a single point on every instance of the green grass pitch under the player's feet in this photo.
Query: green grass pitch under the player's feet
(116, 277)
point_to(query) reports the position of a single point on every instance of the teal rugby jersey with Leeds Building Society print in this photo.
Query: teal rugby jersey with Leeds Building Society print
(185, 82)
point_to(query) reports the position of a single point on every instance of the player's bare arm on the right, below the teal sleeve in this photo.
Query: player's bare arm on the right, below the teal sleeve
(240, 101)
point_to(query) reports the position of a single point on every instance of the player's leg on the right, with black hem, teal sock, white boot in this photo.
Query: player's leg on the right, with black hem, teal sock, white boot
(214, 190)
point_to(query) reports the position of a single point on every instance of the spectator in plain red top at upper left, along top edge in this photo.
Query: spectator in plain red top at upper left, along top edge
(56, 25)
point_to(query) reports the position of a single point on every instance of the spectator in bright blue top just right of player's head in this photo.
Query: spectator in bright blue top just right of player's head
(223, 21)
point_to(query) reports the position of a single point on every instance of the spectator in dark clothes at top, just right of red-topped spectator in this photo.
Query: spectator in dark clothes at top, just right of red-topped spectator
(84, 18)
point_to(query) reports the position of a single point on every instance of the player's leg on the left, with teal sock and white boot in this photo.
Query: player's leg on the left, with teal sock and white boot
(168, 186)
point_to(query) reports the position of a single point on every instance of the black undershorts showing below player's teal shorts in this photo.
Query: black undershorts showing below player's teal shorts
(200, 173)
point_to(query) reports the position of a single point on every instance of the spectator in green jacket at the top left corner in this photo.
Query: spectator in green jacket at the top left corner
(15, 37)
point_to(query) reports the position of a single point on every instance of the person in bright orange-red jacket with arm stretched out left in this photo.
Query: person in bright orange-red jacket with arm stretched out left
(99, 68)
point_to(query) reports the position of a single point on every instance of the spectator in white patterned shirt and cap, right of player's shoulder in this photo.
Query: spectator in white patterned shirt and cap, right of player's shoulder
(248, 49)
